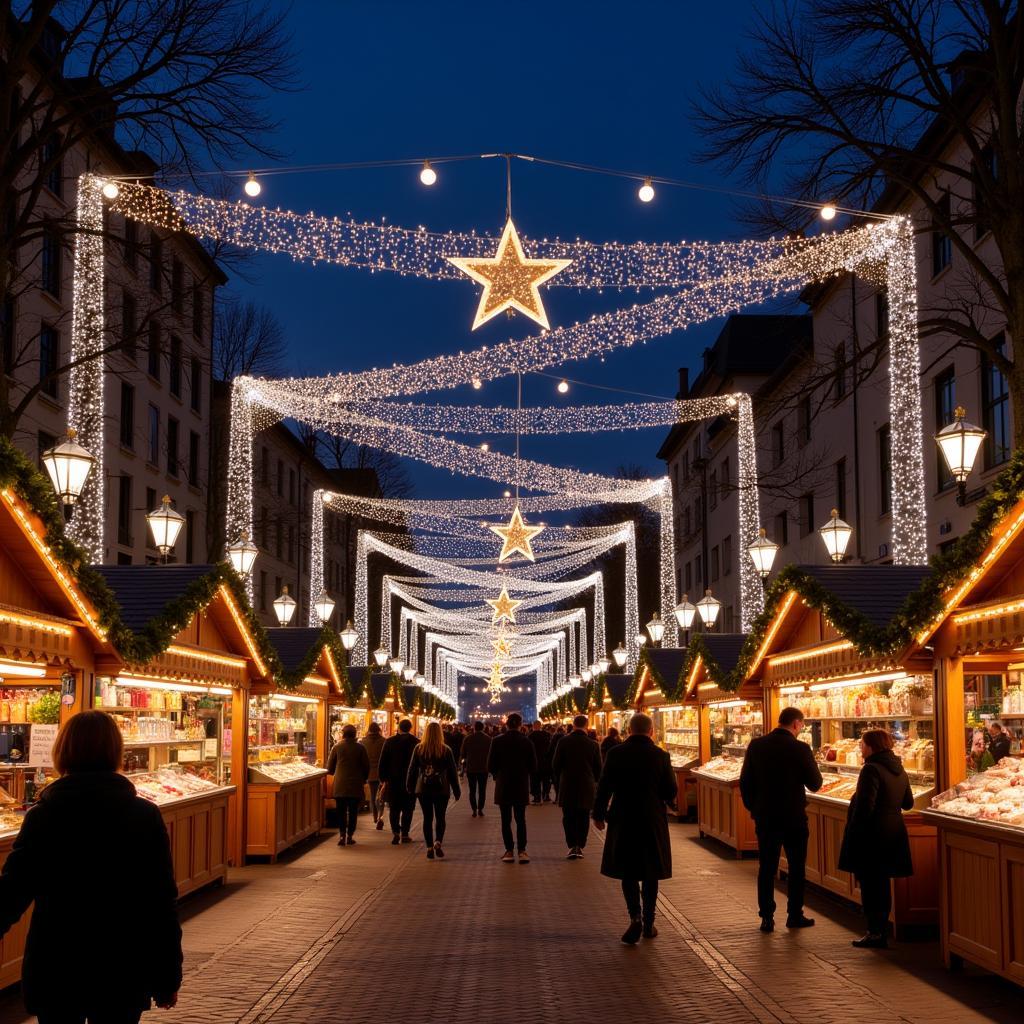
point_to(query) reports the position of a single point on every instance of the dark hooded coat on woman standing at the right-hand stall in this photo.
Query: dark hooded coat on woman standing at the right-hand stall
(876, 841)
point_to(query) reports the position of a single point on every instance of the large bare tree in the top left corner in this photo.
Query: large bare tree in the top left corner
(183, 80)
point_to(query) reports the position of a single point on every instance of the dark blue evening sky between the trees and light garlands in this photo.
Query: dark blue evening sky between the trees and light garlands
(599, 83)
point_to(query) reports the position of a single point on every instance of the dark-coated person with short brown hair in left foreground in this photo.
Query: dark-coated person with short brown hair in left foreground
(120, 841)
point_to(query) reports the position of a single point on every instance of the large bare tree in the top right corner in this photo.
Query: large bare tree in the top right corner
(840, 100)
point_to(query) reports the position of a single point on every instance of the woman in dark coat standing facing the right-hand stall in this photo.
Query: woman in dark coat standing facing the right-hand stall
(876, 847)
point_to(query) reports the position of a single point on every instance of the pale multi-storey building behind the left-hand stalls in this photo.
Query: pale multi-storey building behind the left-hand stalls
(160, 293)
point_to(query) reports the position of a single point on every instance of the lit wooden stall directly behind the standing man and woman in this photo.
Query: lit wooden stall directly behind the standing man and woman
(804, 661)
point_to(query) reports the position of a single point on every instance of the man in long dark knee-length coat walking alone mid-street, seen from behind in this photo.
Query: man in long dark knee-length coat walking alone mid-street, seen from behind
(636, 785)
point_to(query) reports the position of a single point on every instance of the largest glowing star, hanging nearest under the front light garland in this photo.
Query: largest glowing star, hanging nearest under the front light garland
(510, 280)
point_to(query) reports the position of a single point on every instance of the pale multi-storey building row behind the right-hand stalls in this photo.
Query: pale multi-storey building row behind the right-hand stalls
(823, 417)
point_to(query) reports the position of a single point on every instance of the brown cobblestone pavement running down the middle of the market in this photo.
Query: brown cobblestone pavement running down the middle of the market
(376, 932)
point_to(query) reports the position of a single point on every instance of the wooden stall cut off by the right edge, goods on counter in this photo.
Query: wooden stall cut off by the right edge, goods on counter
(979, 658)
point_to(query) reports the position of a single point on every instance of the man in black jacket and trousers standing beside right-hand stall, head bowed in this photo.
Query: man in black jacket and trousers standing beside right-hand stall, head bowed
(778, 772)
